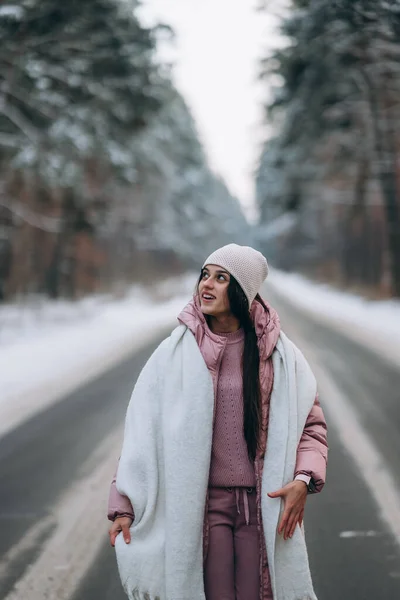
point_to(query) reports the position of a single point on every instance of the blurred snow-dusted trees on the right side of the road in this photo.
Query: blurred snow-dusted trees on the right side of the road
(328, 182)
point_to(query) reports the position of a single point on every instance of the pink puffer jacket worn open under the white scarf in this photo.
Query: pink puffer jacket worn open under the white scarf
(312, 450)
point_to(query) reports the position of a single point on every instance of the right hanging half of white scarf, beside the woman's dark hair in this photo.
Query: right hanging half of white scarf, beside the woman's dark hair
(292, 398)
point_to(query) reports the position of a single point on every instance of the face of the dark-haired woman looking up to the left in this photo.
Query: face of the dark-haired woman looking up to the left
(213, 291)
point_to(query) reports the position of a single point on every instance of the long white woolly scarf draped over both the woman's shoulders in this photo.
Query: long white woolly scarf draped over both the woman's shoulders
(164, 469)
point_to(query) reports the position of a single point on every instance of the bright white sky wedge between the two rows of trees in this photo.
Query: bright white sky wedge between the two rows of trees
(219, 43)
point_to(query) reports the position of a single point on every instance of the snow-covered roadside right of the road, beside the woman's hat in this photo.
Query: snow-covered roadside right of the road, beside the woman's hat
(375, 324)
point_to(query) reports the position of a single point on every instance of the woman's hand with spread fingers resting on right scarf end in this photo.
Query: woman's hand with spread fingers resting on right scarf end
(294, 495)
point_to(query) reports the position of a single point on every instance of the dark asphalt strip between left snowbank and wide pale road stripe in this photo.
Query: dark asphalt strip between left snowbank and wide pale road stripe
(40, 459)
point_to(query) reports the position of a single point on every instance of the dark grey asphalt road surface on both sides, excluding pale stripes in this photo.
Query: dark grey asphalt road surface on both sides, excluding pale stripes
(353, 554)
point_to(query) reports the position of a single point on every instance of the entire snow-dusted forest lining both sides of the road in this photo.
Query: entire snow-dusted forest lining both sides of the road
(104, 180)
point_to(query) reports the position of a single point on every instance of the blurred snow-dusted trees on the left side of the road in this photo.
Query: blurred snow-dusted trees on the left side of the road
(103, 179)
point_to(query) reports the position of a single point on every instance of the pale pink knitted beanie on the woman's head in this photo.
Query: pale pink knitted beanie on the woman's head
(248, 266)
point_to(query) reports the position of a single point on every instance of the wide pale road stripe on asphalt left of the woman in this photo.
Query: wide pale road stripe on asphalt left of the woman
(79, 532)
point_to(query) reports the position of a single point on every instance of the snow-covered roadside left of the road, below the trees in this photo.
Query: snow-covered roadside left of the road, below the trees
(48, 349)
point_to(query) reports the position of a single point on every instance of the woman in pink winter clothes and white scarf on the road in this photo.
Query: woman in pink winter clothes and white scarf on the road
(224, 439)
